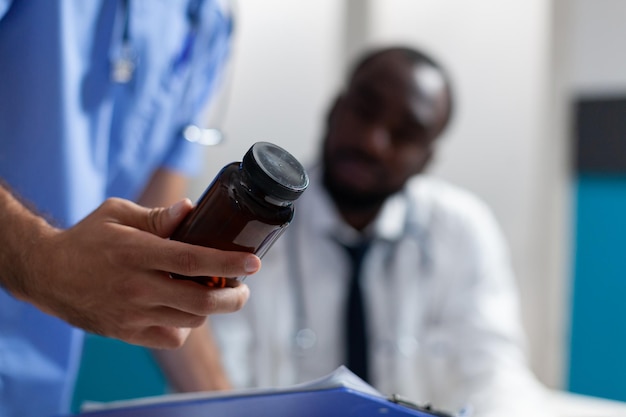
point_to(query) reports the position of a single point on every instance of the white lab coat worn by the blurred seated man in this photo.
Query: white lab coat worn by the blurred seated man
(442, 306)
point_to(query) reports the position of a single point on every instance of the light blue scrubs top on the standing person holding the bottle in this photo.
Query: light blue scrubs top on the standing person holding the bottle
(71, 137)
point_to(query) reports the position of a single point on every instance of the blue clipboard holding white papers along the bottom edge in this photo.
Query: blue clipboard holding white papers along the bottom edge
(341, 394)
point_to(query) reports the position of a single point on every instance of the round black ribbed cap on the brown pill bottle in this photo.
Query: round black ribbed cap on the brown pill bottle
(275, 171)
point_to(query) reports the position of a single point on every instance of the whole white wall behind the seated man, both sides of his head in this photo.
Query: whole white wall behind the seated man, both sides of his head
(290, 59)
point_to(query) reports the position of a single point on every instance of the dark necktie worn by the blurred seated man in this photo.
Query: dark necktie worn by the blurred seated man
(356, 332)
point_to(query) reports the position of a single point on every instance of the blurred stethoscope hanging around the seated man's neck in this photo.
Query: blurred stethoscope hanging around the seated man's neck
(304, 336)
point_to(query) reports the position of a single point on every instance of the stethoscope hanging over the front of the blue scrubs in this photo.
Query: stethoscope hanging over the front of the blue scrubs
(124, 61)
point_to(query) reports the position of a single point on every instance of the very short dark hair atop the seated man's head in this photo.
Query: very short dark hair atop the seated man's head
(413, 57)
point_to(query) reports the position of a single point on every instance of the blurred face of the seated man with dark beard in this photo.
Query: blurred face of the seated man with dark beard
(382, 129)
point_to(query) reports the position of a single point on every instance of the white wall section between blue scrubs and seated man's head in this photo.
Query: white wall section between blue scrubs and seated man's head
(285, 70)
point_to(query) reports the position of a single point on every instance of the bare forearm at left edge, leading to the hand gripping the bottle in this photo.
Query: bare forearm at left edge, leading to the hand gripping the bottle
(21, 231)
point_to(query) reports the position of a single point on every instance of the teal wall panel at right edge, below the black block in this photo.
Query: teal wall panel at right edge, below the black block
(598, 332)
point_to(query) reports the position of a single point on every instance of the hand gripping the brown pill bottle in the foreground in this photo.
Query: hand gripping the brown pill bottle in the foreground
(109, 275)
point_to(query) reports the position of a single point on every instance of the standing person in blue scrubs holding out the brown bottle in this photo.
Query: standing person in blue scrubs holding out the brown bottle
(94, 99)
